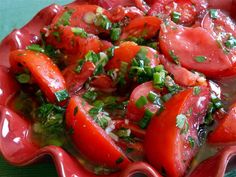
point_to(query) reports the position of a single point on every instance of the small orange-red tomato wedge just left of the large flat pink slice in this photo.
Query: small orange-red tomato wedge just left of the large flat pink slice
(145, 27)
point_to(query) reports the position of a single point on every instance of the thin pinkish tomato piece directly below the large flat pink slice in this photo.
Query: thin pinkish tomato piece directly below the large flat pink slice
(181, 75)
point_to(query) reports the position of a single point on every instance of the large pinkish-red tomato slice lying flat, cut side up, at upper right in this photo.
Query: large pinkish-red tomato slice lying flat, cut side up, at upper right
(194, 48)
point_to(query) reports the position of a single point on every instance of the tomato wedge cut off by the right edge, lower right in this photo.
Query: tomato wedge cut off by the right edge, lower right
(225, 131)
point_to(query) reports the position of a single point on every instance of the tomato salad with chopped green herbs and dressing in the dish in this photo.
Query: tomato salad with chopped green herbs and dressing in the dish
(119, 82)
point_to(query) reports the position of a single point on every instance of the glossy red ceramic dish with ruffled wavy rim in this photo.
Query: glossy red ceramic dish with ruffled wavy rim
(16, 145)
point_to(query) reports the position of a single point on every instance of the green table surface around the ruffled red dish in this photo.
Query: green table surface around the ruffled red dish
(10, 19)
